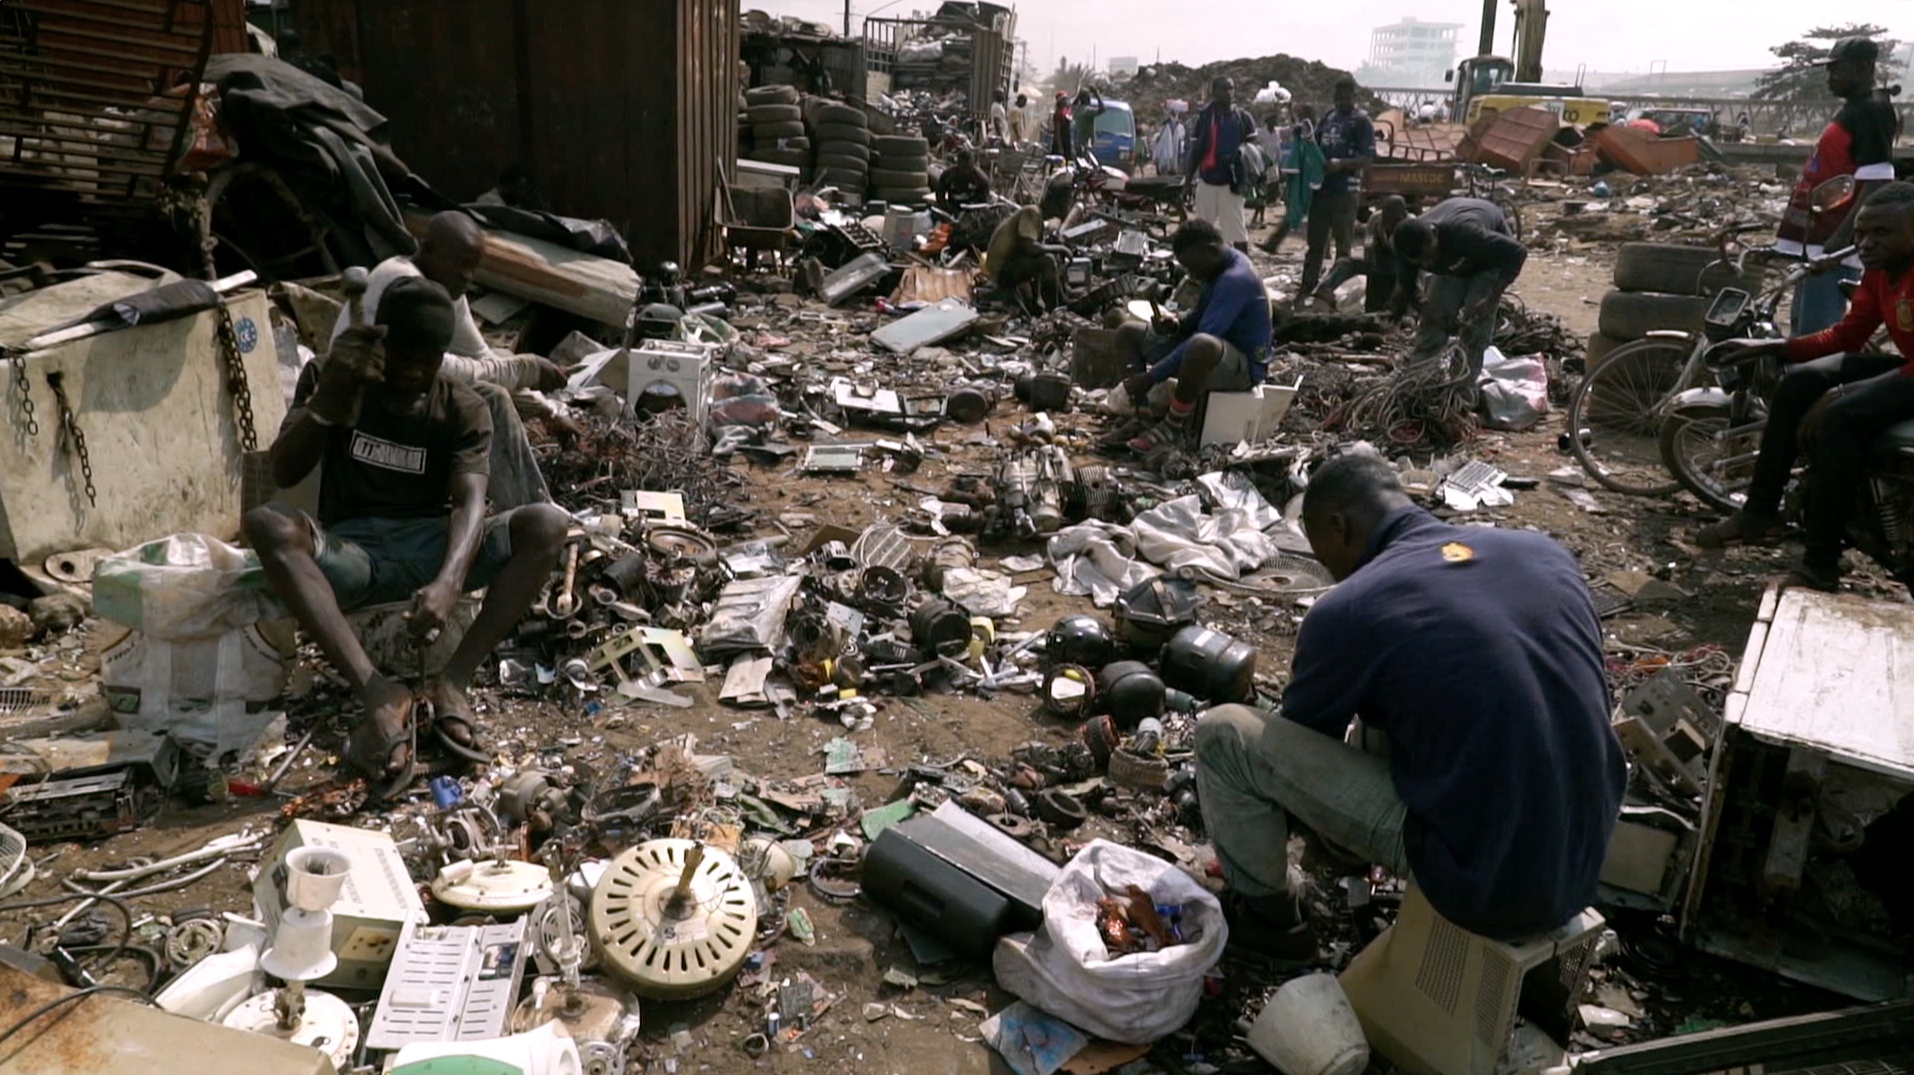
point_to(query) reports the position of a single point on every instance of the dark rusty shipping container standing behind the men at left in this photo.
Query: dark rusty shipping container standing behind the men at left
(621, 112)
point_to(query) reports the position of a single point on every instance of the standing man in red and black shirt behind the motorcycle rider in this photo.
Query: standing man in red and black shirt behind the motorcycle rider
(1859, 143)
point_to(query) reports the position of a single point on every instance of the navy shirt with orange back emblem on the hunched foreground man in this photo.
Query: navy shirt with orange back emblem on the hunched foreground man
(1480, 655)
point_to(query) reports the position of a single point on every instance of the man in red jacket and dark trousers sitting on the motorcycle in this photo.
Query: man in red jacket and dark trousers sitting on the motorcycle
(1836, 397)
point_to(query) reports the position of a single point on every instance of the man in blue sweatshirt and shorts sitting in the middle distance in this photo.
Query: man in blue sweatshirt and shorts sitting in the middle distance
(1220, 347)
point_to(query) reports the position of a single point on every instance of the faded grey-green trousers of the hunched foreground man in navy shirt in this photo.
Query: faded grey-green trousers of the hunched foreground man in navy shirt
(1255, 770)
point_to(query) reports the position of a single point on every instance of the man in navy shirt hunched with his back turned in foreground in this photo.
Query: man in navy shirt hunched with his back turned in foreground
(1477, 653)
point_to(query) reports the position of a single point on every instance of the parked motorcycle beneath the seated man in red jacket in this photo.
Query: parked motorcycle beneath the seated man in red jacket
(1712, 435)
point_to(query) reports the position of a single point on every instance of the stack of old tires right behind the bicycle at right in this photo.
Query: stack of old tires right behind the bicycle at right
(1660, 286)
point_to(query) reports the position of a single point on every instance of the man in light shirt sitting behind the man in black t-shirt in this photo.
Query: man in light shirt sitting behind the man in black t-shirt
(449, 257)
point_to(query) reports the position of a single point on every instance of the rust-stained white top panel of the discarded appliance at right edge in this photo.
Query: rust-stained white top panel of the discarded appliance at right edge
(1838, 676)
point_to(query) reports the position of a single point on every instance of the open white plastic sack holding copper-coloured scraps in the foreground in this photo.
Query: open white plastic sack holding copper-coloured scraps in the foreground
(1067, 971)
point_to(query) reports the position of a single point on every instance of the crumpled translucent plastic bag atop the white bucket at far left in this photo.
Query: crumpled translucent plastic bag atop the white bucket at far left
(189, 586)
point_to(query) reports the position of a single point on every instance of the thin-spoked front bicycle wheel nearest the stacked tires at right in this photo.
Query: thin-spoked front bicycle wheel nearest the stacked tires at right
(1614, 418)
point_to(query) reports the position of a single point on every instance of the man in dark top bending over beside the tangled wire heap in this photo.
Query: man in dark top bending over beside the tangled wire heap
(1471, 252)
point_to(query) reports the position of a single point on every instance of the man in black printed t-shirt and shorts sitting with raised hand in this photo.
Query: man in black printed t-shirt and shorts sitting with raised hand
(403, 517)
